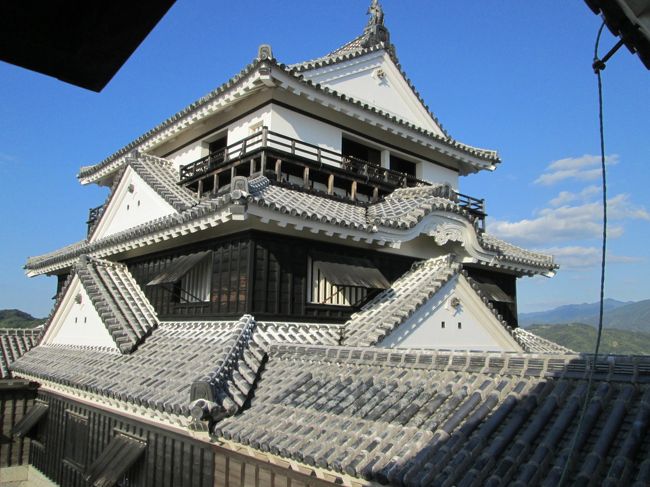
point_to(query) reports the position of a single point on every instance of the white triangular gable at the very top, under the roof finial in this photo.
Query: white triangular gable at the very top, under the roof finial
(374, 78)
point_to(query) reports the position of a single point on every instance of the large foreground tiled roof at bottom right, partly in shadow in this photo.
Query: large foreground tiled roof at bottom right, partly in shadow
(421, 419)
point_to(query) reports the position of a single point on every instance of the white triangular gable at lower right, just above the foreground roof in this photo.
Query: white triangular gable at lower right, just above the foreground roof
(455, 318)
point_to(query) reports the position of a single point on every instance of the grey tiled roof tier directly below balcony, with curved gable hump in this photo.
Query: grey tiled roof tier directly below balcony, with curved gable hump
(403, 209)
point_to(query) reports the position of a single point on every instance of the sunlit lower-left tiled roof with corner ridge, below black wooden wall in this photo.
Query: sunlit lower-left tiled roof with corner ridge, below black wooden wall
(180, 361)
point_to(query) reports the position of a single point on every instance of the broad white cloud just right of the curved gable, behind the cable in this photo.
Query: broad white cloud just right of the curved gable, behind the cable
(567, 223)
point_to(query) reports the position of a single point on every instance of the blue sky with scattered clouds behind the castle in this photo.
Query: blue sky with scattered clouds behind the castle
(509, 75)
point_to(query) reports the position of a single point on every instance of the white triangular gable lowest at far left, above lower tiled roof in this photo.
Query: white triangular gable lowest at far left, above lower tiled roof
(76, 322)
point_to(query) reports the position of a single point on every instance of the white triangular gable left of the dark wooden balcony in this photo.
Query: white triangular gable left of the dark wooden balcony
(134, 202)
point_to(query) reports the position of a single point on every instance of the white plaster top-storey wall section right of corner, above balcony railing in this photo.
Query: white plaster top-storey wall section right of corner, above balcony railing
(298, 126)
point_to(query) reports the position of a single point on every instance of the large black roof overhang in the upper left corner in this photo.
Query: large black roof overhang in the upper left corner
(80, 42)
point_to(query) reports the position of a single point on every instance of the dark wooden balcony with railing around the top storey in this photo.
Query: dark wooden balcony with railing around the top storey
(306, 167)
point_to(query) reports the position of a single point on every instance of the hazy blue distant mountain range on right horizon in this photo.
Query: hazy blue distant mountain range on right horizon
(619, 315)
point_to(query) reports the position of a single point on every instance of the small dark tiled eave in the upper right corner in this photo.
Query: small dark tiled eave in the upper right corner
(628, 19)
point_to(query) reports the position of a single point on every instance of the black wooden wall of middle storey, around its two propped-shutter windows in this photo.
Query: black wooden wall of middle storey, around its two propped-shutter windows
(258, 273)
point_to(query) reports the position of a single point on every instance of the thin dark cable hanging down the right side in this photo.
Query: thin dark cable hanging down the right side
(598, 66)
